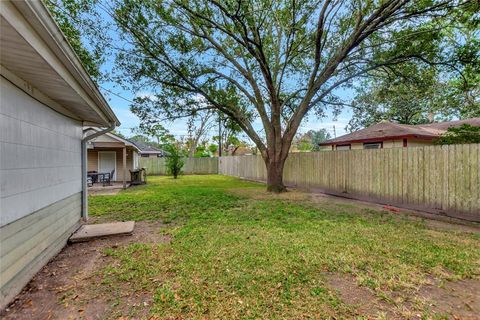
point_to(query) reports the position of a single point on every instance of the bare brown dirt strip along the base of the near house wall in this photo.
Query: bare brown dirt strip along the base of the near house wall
(60, 290)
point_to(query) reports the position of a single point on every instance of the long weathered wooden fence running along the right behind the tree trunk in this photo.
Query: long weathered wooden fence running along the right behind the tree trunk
(441, 179)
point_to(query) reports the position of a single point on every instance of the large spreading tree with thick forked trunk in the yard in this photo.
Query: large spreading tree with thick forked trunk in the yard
(275, 61)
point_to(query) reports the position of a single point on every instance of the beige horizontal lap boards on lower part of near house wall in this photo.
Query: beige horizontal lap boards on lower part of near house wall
(30, 242)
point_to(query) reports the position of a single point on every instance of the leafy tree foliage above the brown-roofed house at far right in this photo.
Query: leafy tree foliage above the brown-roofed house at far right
(420, 92)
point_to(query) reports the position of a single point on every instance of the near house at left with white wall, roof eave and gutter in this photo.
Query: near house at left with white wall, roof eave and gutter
(46, 99)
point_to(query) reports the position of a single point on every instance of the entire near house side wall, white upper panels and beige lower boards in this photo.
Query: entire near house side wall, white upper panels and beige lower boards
(40, 186)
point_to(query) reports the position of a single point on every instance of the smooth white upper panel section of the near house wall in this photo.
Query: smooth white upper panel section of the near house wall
(40, 155)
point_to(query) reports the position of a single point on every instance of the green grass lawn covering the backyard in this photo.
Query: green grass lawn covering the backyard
(238, 252)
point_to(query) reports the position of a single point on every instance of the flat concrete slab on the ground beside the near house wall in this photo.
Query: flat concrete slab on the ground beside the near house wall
(93, 231)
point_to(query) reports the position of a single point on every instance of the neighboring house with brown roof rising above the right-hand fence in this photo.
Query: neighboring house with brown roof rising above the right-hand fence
(390, 135)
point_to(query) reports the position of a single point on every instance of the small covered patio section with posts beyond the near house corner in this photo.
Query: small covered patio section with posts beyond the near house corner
(109, 152)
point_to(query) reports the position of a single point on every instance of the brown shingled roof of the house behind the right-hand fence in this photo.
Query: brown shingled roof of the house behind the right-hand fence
(387, 130)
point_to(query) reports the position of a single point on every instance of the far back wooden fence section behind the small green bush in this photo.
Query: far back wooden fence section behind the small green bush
(156, 166)
